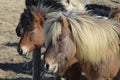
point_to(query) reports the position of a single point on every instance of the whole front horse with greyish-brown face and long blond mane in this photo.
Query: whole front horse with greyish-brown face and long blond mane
(94, 42)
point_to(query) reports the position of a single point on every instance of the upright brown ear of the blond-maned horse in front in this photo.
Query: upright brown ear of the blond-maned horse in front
(65, 24)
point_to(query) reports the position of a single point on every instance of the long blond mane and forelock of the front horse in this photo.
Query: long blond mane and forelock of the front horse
(96, 39)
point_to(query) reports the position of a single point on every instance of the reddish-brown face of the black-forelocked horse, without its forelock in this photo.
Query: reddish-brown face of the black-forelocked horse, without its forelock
(35, 37)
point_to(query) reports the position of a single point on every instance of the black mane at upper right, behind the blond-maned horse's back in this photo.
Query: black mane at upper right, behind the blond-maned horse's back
(100, 10)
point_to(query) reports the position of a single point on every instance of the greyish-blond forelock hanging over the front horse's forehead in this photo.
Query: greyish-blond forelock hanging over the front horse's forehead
(52, 27)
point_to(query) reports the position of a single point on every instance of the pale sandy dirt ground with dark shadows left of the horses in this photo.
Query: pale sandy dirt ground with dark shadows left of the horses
(10, 61)
